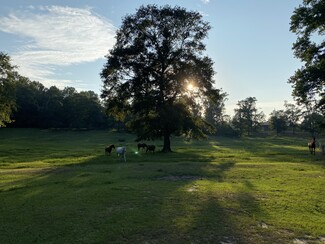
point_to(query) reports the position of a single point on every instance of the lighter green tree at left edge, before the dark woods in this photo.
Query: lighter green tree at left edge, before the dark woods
(8, 77)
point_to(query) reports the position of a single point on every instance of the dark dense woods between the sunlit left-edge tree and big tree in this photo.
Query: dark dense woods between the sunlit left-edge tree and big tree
(40, 107)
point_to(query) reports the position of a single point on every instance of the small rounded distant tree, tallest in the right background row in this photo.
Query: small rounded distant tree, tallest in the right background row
(247, 118)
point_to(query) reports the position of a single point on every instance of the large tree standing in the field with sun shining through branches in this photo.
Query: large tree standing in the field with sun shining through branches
(157, 59)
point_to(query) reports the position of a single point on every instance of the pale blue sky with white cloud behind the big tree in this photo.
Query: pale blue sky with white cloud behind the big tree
(64, 43)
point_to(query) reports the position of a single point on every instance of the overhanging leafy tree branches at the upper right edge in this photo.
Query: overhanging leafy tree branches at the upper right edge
(308, 82)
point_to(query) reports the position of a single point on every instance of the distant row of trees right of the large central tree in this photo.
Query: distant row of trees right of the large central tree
(248, 120)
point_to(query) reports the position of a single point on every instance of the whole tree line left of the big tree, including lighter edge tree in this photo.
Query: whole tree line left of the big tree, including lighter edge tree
(26, 103)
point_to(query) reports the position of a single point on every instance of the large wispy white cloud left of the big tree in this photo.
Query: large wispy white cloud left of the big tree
(56, 36)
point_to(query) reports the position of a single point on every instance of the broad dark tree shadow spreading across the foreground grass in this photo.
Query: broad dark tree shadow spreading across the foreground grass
(103, 200)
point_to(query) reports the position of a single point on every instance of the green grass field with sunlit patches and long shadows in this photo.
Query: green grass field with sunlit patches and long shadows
(59, 187)
